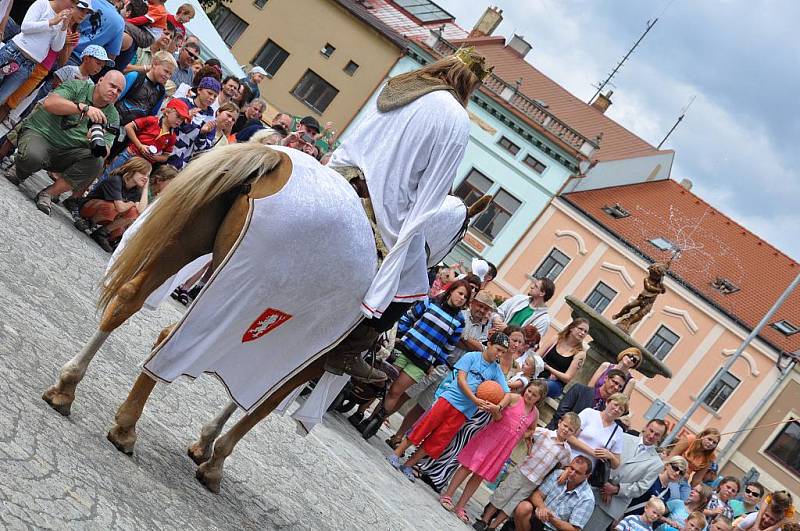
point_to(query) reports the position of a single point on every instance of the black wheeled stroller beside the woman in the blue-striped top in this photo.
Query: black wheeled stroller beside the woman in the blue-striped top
(357, 393)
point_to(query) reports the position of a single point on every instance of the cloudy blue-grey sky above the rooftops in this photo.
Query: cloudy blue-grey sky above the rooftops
(740, 60)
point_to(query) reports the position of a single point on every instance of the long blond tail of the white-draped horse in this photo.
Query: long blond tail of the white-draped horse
(202, 181)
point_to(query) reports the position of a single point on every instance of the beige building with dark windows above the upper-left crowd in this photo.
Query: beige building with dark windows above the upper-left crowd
(322, 57)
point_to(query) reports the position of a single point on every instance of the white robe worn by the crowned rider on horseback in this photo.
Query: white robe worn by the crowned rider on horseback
(409, 157)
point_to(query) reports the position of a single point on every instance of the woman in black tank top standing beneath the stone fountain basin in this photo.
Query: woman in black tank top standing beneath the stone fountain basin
(563, 356)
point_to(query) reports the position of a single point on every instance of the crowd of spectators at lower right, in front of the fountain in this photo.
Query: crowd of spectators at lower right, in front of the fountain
(588, 469)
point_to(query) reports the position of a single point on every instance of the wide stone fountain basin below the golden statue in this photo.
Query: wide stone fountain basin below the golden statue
(608, 340)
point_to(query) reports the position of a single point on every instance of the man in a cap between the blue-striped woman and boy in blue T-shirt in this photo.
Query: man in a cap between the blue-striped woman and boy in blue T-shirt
(476, 330)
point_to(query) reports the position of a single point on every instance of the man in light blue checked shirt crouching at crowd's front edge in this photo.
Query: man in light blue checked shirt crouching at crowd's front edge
(563, 502)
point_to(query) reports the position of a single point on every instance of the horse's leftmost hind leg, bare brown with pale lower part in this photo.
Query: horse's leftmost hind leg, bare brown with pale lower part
(131, 297)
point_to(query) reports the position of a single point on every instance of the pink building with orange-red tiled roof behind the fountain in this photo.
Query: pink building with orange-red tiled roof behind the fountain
(596, 245)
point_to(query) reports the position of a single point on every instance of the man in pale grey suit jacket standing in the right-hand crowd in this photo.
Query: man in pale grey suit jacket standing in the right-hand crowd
(639, 467)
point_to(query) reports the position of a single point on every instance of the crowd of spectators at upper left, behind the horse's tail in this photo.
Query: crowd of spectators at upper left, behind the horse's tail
(113, 97)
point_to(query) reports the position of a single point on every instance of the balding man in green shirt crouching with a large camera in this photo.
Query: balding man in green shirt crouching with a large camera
(69, 133)
